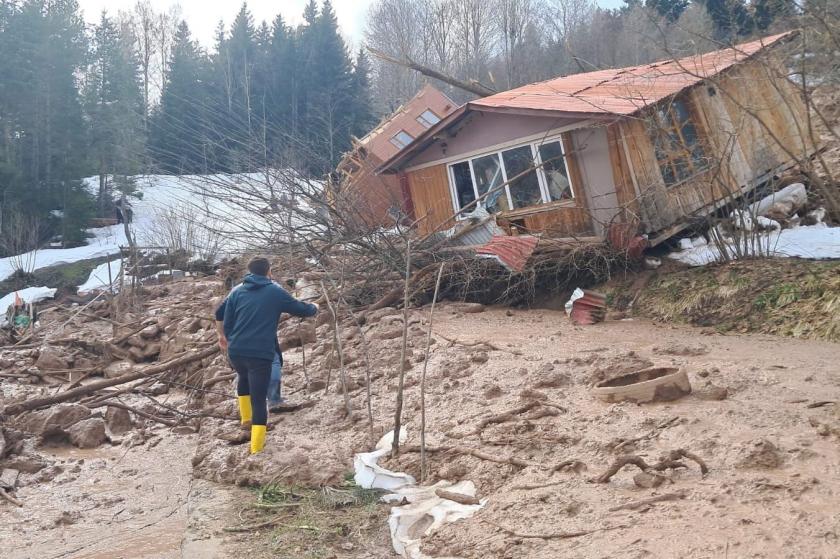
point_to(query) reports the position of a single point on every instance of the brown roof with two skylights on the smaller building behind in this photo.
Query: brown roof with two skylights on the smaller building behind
(378, 141)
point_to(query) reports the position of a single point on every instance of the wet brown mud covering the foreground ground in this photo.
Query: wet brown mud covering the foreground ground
(757, 417)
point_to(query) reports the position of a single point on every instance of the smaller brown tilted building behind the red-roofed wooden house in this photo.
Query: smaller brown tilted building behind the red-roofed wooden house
(379, 199)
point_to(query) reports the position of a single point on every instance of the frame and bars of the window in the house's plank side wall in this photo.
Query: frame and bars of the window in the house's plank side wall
(684, 152)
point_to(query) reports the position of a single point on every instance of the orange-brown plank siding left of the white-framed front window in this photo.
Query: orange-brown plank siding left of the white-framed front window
(429, 189)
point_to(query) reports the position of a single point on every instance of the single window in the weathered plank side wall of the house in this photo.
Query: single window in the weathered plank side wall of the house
(679, 152)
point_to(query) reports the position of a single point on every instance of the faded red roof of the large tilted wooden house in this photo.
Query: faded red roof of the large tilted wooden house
(600, 94)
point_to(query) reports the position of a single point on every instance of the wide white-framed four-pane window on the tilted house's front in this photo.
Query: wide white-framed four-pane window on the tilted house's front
(534, 173)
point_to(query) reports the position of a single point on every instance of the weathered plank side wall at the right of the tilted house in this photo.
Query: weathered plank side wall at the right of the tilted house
(751, 122)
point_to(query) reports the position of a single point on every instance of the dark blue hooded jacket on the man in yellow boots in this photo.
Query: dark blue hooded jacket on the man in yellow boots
(251, 313)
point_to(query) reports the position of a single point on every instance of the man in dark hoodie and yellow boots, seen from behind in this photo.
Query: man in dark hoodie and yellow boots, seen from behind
(250, 315)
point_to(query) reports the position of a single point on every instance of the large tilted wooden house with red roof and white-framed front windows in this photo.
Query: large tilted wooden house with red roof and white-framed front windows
(647, 147)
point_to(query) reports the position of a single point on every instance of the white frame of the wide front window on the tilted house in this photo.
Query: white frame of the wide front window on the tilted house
(542, 179)
